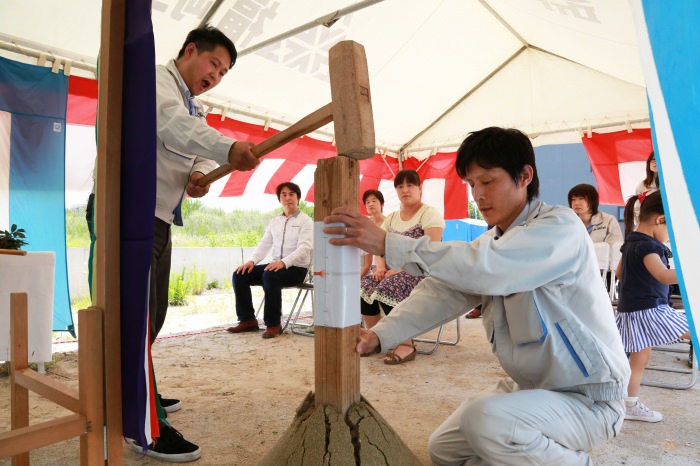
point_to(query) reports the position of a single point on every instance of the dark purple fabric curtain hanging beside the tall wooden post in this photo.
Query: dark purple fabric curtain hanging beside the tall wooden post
(138, 198)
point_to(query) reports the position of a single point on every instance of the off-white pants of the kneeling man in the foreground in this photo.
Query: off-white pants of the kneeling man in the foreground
(538, 427)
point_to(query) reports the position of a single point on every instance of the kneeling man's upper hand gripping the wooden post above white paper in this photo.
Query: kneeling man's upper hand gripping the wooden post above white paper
(359, 231)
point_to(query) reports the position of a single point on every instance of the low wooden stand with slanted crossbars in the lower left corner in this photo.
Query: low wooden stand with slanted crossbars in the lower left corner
(87, 404)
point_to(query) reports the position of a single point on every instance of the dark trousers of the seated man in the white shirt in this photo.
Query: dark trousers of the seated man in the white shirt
(272, 283)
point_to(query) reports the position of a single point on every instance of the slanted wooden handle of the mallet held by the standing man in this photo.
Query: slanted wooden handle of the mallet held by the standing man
(309, 123)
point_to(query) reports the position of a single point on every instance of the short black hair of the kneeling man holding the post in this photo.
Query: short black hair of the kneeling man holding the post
(494, 147)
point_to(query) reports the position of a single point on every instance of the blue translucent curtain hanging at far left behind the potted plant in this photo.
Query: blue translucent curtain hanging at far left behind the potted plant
(32, 166)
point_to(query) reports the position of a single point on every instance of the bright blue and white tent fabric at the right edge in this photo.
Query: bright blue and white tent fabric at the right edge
(668, 42)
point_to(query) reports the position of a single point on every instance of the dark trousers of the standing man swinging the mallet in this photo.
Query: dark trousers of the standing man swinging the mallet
(160, 276)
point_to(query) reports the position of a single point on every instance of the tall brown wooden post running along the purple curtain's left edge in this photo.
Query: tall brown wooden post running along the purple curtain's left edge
(107, 215)
